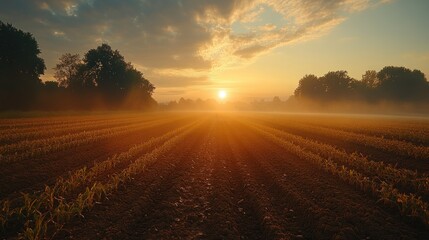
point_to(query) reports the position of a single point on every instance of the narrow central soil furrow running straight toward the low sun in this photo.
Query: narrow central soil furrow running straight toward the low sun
(231, 213)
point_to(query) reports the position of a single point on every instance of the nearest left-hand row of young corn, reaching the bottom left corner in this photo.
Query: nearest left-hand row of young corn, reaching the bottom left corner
(43, 214)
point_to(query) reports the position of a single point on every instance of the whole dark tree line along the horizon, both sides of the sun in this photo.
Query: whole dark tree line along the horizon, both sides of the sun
(102, 79)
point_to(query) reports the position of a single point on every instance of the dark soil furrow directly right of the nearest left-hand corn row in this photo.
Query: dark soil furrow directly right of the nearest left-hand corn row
(142, 207)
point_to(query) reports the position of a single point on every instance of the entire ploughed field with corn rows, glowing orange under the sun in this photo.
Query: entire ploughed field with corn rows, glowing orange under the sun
(214, 175)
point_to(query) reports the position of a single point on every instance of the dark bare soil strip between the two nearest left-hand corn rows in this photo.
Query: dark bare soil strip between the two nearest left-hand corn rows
(32, 174)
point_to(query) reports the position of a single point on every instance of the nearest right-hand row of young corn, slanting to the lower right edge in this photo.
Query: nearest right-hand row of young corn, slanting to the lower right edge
(408, 204)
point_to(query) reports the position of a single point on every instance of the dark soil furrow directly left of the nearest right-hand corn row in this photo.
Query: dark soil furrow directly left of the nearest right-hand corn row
(341, 211)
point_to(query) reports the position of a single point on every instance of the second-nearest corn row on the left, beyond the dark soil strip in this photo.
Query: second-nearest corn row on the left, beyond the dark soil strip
(27, 149)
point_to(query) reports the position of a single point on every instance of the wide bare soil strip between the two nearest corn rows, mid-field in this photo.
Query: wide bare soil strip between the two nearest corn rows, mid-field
(227, 182)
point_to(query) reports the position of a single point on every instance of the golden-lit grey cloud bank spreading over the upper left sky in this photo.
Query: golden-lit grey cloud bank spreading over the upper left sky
(178, 41)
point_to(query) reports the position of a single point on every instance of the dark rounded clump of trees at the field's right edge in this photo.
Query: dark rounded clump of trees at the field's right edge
(390, 84)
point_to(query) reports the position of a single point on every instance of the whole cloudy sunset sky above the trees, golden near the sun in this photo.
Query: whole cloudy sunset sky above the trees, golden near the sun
(251, 49)
